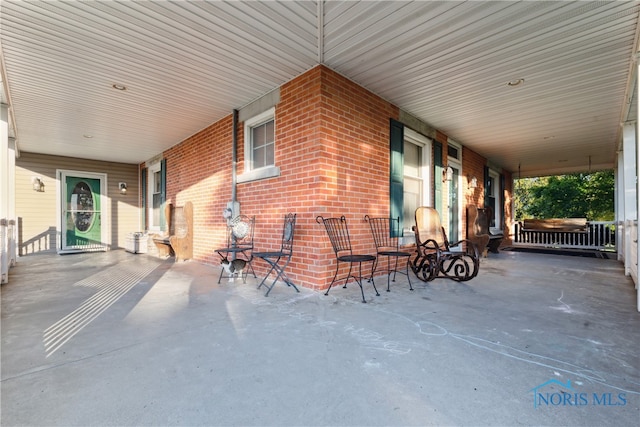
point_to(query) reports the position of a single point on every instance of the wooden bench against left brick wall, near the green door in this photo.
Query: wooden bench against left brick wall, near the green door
(178, 239)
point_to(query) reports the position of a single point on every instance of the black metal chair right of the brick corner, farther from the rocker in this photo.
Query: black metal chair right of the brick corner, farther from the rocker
(339, 236)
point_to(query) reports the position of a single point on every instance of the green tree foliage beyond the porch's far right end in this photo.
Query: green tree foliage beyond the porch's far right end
(566, 196)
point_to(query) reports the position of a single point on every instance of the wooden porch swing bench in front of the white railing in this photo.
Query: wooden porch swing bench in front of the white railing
(553, 231)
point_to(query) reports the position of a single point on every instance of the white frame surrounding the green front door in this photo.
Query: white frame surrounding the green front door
(61, 211)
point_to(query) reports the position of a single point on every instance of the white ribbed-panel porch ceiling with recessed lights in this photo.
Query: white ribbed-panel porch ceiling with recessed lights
(188, 64)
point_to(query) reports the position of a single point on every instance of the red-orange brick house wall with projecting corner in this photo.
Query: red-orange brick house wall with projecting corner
(332, 148)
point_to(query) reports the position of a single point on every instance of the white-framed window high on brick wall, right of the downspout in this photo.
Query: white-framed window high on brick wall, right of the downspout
(259, 147)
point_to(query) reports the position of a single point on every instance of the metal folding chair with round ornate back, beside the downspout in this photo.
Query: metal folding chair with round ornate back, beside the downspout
(239, 243)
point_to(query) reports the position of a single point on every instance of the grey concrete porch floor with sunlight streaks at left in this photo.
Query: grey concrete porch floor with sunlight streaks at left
(116, 339)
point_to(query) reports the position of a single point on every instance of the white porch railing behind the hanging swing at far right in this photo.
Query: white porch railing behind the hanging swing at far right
(599, 235)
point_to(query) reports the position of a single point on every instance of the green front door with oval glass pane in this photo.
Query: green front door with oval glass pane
(82, 216)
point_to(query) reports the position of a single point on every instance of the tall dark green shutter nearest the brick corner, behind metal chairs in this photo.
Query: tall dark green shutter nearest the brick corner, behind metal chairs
(396, 172)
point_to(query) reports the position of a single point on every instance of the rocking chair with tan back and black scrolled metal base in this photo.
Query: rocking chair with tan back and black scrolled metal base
(434, 255)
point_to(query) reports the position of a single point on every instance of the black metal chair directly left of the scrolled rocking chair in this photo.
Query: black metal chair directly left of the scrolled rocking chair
(385, 232)
